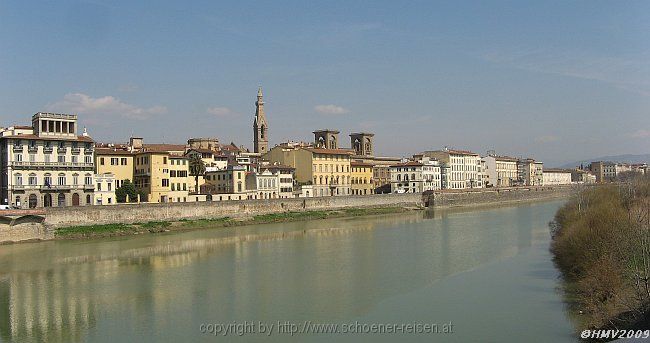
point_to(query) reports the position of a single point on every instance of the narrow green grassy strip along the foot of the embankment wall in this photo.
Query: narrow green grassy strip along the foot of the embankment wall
(110, 230)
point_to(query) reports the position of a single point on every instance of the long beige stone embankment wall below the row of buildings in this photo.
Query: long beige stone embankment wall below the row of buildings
(140, 213)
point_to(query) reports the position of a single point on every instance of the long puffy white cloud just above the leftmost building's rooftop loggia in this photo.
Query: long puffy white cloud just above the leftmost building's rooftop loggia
(106, 105)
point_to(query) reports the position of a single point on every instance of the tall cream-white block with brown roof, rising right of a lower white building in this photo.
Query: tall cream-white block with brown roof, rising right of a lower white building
(464, 168)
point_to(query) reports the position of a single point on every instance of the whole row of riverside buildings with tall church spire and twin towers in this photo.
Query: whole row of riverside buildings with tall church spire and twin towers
(53, 163)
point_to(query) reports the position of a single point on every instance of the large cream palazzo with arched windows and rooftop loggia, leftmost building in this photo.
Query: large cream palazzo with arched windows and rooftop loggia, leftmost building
(47, 164)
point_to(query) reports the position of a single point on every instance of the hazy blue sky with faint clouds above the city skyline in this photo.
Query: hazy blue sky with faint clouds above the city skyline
(558, 81)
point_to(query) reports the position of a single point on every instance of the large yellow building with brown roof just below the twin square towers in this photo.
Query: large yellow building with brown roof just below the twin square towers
(328, 170)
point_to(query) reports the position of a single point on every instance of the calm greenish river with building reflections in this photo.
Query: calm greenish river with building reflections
(486, 271)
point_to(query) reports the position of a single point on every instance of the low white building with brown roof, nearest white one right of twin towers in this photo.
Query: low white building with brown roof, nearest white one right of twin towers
(415, 176)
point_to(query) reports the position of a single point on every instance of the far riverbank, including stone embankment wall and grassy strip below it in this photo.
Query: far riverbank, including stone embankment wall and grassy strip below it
(127, 219)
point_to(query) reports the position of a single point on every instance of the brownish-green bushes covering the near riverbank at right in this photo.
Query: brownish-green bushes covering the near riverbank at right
(601, 244)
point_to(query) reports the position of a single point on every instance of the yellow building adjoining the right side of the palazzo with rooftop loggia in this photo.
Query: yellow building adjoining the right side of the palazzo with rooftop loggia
(118, 162)
